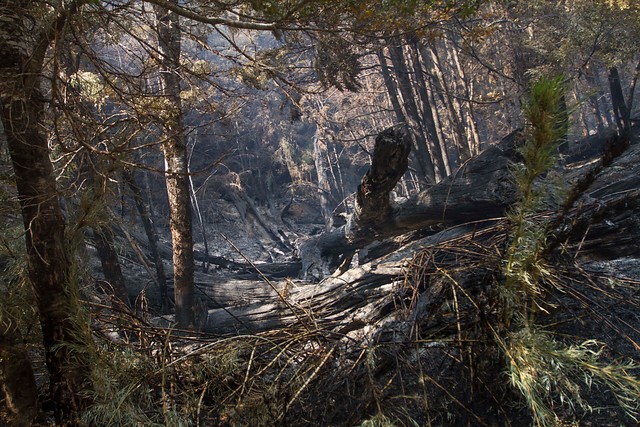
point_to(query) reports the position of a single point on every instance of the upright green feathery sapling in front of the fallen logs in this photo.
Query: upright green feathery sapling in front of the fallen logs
(544, 370)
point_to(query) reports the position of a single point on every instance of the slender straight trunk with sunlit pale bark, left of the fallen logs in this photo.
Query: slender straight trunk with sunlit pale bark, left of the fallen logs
(176, 166)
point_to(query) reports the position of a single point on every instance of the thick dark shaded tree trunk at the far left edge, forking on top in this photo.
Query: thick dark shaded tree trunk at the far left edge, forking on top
(49, 265)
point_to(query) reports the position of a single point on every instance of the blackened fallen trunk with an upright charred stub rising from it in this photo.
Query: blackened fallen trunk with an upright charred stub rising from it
(481, 190)
